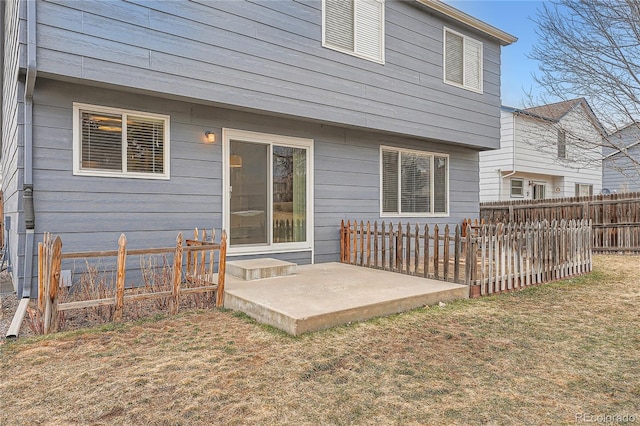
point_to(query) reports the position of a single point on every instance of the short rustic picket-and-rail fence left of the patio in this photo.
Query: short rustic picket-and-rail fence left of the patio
(199, 275)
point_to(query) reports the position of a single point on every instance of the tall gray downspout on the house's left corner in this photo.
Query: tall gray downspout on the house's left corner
(27, 189)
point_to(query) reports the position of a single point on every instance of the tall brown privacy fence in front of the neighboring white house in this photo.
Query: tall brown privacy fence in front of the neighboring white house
(615, 217)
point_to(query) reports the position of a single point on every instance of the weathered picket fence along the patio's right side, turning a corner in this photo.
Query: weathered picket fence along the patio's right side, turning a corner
(491, 258)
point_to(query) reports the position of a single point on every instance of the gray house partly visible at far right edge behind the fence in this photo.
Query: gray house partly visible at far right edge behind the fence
(621, 166)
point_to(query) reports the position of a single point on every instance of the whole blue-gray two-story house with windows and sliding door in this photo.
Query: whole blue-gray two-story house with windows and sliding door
(153, 117)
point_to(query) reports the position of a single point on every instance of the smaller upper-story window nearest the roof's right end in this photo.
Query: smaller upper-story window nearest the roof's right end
(462, 61)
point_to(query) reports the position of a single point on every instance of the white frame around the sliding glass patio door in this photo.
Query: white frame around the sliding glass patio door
(268, 139)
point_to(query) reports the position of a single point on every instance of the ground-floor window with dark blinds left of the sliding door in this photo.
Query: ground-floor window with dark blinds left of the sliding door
(121, 143)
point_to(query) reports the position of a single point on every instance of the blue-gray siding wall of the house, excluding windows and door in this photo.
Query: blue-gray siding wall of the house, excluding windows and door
(250, 66)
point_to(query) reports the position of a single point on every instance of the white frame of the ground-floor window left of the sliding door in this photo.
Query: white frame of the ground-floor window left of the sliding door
(77, 143)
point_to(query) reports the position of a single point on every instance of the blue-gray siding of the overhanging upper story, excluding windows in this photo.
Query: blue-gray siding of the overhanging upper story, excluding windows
(267, 56)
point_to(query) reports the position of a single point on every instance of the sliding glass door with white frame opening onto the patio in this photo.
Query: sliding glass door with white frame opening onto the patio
(268, 191)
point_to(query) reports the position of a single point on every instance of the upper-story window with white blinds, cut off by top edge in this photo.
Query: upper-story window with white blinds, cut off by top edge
(355, 27)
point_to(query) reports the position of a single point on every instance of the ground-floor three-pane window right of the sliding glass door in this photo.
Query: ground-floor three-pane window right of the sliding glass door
(414, 183)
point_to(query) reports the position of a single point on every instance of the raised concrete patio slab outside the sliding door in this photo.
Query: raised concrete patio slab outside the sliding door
(329, 294)
